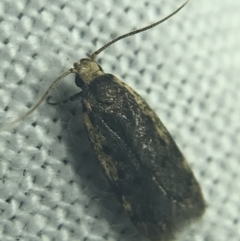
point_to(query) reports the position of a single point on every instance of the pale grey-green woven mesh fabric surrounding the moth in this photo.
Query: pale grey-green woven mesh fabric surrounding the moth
(51, 187)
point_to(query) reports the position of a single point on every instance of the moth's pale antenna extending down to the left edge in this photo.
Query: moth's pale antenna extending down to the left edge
(11, 124)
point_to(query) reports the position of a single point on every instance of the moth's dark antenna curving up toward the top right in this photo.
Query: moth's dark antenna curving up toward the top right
(94, 55)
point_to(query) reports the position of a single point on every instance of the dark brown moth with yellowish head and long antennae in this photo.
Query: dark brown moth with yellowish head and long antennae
(143, 164)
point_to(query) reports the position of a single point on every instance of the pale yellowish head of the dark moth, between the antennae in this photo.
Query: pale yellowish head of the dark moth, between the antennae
(88, 70)
